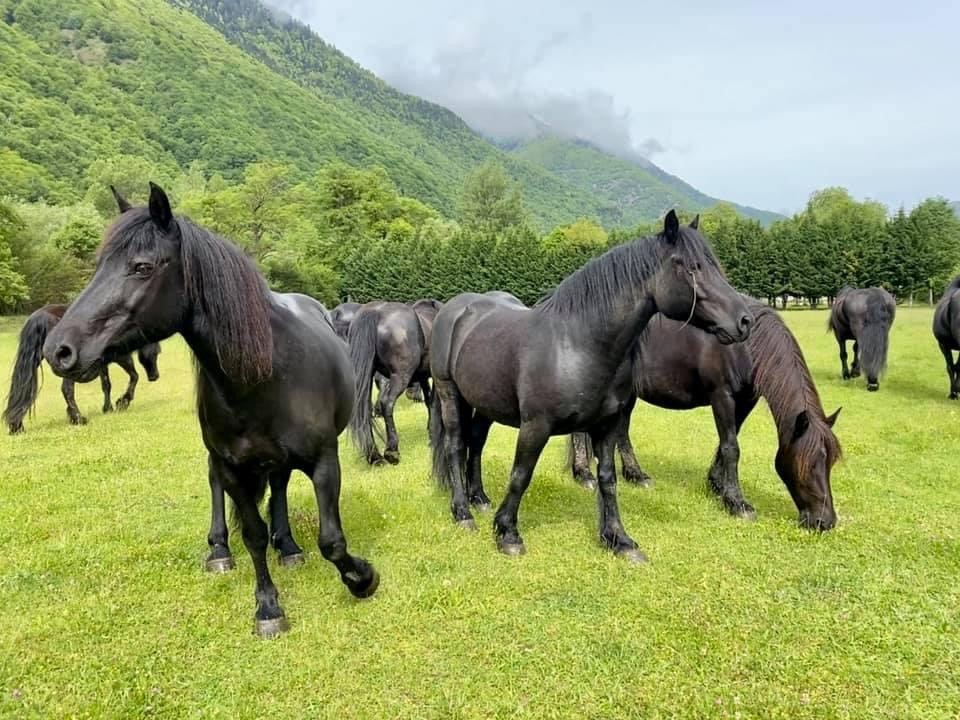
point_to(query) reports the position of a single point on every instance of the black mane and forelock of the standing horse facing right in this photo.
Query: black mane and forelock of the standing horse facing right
(598, 285)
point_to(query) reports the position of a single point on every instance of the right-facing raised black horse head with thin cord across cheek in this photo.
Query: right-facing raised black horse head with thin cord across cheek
(691, 287)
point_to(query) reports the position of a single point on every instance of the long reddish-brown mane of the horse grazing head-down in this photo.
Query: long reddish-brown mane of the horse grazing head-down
(781, 376)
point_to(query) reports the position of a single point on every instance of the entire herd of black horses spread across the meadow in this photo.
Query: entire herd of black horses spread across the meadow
(279, 378)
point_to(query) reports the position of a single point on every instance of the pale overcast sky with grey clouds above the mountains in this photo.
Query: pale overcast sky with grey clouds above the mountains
(747, 101)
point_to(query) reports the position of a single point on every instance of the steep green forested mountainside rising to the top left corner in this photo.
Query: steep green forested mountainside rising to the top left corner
(229, 82)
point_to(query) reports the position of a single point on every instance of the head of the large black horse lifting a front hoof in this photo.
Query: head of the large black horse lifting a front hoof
(136, 295)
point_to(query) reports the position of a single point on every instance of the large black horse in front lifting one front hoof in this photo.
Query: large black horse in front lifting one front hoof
(274, 384)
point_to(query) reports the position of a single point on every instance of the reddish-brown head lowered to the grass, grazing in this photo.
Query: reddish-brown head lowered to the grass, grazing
(804, 462)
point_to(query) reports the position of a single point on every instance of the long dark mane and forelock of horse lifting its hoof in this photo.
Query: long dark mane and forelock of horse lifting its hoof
(226, 291)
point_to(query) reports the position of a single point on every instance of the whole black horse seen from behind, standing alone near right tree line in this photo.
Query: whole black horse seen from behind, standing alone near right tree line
(864, 316)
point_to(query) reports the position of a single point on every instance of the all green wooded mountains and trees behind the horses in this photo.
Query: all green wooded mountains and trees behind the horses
(342, 187)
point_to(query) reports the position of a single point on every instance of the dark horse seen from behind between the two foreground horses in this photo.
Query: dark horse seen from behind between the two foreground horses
(385, 337)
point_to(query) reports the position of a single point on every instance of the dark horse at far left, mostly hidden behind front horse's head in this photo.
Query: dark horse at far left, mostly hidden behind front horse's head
(24, 386)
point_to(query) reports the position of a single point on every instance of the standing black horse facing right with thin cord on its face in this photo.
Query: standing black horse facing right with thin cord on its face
(564, 366)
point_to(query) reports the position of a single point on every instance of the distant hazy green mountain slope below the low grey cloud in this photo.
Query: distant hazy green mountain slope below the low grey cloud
(637, 191)
